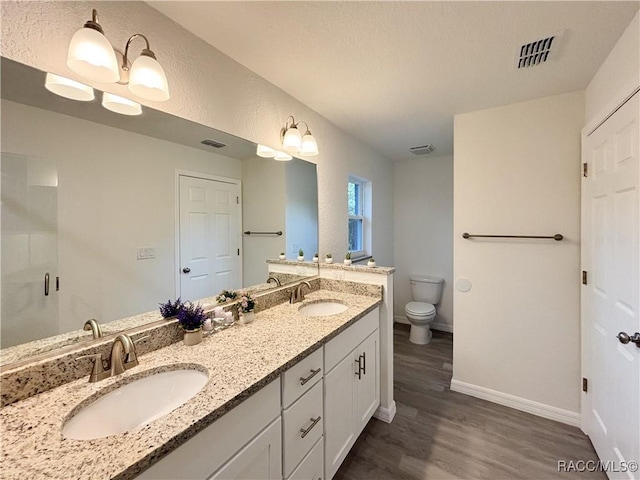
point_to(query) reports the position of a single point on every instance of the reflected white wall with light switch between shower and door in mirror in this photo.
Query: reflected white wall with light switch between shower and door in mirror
(116, 193)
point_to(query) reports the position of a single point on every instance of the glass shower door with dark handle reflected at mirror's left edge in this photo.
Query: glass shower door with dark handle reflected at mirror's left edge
(29, 253)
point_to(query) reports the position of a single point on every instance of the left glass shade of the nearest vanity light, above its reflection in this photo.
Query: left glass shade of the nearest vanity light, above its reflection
(92, 56)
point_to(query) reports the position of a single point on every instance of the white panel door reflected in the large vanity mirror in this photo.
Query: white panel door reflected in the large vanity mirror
(209, 237)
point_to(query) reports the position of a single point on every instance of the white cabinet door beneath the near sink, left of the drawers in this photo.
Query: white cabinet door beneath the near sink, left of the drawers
(261, 459)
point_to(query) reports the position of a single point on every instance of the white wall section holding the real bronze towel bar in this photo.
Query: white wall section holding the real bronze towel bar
(517, 332)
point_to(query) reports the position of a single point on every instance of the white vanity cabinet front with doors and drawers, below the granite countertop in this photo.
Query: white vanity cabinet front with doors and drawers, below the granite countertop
(299, 427)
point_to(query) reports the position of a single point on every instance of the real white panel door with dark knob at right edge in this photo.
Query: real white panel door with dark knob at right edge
(611, 210)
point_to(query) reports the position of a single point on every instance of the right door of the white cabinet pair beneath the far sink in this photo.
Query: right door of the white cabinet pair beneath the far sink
(367, 385)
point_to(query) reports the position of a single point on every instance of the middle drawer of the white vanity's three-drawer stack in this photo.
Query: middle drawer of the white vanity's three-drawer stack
(302, 427)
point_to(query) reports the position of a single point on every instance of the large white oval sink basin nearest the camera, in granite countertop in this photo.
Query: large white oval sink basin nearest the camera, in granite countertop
(134, 404)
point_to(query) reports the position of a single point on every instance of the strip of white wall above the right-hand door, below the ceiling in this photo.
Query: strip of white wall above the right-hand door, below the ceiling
(619, 71)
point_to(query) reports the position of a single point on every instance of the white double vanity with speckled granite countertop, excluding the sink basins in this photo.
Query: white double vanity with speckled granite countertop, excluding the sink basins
(287, 397)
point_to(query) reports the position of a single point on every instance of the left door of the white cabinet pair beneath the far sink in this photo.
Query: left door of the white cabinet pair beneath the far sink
(339, 397)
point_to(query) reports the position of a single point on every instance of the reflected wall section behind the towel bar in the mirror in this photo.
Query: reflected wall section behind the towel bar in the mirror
(263, 193)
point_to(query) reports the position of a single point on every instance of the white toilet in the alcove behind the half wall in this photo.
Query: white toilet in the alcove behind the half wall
(425, 292)
